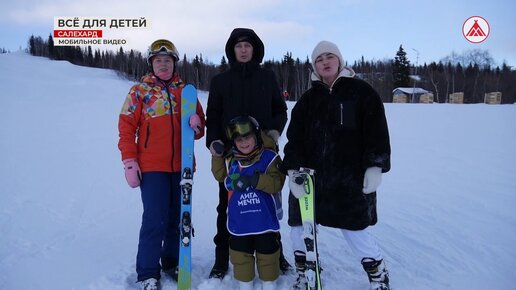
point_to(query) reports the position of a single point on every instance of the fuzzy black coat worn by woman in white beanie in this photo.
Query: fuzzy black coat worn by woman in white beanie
(339, 132)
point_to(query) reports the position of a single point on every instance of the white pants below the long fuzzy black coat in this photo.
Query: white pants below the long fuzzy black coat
(361, 243)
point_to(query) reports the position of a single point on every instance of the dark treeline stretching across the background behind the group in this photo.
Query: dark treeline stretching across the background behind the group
(472, 72)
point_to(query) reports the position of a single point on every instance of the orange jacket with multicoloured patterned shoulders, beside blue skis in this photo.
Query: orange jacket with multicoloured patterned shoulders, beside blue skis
(149, 129)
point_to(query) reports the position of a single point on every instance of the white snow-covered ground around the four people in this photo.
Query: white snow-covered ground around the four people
(68, 220)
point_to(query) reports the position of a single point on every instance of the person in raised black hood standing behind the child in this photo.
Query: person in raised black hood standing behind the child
(245, 89)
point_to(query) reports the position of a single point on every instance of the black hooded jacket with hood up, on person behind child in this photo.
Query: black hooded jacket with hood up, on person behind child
(245, 89)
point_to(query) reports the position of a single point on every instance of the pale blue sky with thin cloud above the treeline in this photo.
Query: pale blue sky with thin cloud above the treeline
(373, 29)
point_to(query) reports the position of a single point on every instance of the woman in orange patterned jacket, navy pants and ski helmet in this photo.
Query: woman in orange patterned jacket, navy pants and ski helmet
(150, 142)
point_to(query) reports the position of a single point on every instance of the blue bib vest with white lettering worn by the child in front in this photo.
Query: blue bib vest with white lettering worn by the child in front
(251, 211)
